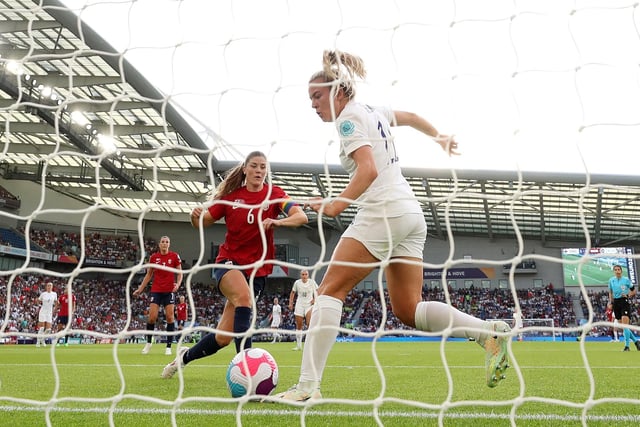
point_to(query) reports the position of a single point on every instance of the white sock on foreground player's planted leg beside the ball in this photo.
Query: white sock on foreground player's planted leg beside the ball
(321, 335)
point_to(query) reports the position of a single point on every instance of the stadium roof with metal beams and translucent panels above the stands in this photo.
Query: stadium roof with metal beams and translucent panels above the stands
(77, 115)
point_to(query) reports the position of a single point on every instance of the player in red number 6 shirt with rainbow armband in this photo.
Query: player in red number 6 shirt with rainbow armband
(252, 208)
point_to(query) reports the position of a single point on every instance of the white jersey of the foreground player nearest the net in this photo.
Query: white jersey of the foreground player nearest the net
(390, 195)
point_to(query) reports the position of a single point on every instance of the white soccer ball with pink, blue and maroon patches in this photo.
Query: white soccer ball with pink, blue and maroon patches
(252, 371)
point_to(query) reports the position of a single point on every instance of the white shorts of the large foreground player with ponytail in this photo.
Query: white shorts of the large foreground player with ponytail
(407, 238)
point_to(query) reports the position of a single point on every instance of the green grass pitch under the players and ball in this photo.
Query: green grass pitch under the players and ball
(548, 385)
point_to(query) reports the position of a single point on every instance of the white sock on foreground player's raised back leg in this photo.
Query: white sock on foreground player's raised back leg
(433, 316)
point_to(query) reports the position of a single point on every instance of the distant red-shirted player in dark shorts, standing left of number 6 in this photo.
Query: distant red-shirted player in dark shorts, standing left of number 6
(166, 282)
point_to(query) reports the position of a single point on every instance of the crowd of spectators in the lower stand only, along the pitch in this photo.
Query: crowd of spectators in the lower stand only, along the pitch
(102, 307)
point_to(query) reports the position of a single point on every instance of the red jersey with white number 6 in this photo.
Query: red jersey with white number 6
(243, 242)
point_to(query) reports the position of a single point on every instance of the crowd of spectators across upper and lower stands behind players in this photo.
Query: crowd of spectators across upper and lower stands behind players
(102, 304)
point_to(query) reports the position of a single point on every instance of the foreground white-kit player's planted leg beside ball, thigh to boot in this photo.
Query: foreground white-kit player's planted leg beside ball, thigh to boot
(327, 312)
